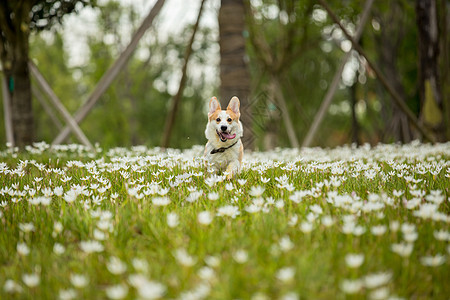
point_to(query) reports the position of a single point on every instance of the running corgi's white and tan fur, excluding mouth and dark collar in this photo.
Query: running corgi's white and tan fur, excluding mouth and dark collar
(229, 159)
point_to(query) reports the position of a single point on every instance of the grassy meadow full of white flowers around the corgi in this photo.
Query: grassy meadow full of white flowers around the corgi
(141, 223)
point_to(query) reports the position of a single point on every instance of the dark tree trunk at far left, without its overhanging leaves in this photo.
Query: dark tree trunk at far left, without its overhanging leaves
(14, 58)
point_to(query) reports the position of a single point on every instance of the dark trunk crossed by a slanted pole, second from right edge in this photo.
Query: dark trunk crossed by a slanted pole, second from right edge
(396, 32)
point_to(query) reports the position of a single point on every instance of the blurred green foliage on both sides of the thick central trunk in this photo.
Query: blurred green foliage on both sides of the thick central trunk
(306, 47)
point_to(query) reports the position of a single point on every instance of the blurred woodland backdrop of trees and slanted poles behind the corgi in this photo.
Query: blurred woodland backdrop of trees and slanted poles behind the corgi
(299, 81)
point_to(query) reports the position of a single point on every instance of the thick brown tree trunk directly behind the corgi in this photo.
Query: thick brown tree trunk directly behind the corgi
(234, 75)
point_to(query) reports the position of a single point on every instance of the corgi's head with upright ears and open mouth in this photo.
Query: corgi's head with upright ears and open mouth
(223, 125)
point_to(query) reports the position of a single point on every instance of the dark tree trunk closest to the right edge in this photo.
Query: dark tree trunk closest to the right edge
(429, 82)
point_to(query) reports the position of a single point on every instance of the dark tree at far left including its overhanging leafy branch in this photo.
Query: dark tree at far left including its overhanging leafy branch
(17, 20)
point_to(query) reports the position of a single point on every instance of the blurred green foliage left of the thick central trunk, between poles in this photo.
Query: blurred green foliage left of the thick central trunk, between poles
(139, 94)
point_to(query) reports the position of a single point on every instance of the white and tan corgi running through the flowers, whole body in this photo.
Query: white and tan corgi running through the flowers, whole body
(224, 149)
